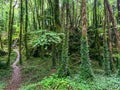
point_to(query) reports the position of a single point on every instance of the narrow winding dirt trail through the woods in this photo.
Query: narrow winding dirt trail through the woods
(15, 80)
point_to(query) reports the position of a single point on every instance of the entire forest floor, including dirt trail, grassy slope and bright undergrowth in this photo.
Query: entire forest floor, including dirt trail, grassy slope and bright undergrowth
(38, 74)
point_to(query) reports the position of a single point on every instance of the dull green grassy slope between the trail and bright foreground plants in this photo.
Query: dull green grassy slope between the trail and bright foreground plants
(35, 69)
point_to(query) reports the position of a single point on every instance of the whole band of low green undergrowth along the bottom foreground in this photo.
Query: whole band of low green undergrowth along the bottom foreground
(55, 83)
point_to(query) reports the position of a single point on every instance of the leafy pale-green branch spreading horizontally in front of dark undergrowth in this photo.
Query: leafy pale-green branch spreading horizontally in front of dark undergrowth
(44, 37)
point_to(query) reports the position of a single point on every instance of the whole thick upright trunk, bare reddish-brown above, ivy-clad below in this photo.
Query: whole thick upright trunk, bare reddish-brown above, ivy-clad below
(85, 66)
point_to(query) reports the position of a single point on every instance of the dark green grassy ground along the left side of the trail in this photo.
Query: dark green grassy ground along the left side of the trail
(6, 71)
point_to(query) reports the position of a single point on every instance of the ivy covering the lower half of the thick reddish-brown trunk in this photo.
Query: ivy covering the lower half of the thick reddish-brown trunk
(85, 66)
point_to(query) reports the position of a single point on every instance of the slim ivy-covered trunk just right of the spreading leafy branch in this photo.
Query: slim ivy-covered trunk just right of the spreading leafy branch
(64, 69)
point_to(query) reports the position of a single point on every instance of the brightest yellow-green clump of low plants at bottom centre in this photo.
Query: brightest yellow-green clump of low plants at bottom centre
(57, 83)
